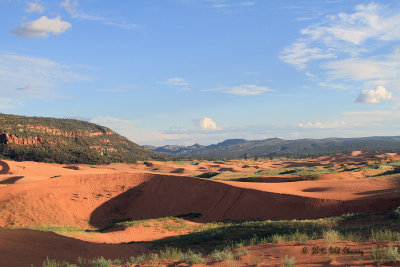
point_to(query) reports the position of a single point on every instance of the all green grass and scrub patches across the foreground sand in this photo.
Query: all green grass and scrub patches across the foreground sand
(225, 241)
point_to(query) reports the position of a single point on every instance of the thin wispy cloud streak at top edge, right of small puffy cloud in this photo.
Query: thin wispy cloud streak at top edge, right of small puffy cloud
(71, 6)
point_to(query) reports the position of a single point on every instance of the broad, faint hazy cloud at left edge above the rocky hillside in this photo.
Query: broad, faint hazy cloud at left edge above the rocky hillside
(31, 77)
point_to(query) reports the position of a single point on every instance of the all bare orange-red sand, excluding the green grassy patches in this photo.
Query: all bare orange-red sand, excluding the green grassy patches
(92, 196)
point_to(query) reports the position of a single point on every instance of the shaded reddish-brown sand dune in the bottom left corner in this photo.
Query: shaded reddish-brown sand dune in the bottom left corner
(26, 247)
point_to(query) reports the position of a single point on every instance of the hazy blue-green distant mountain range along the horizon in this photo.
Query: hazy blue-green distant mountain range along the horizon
(240, 148)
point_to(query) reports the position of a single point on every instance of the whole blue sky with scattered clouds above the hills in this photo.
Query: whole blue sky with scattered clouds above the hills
(202, 71)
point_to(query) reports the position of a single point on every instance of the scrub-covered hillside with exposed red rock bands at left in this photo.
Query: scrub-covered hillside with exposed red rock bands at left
(65, 141)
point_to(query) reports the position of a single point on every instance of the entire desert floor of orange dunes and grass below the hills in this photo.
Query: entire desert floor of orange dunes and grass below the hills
(265, 209)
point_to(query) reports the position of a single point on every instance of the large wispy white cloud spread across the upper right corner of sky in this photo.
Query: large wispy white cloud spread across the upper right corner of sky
(344, 34)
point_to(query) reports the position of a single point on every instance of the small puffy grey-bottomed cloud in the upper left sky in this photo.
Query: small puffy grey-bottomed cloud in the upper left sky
(42, 27)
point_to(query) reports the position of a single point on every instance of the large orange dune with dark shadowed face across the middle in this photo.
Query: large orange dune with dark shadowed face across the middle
(96, 200)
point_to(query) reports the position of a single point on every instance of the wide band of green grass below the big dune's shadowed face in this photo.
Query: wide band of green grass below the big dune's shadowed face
(355, 227)
